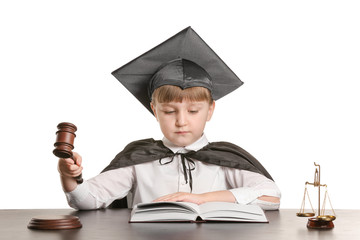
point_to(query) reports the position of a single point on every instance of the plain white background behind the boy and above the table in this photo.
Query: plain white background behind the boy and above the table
(299, 104)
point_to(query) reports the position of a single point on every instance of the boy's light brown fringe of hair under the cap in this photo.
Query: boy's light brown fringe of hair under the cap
(169, 93)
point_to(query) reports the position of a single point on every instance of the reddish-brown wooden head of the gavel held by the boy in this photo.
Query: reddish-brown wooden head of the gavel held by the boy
(64, 140)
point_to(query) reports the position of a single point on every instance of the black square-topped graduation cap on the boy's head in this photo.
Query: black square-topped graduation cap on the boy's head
(184, 60)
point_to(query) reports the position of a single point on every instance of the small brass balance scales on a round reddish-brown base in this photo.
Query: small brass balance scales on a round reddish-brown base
(321, 221)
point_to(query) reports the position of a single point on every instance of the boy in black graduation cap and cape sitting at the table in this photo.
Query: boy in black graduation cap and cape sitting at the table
(184, 166)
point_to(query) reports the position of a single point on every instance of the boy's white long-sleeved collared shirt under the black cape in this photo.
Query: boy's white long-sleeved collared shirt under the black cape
(152, 180)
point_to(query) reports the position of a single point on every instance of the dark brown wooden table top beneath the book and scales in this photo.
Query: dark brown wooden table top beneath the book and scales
(113, 224)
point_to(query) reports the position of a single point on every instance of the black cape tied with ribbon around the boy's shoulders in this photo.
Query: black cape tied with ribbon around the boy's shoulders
(223, 154)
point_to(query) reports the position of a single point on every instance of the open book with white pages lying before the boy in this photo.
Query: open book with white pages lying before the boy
(190, 212)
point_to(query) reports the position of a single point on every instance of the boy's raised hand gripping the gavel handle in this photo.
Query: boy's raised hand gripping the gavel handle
(69, 168)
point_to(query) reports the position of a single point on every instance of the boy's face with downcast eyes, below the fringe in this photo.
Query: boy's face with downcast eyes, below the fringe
(183, 122)
